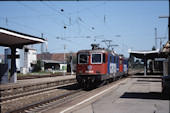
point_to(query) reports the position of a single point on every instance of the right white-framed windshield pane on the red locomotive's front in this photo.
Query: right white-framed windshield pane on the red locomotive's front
(96, 58)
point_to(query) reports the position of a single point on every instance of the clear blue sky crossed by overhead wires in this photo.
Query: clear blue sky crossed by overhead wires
(78, 24)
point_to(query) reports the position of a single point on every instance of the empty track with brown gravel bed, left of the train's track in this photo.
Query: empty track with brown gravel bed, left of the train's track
(15, 101)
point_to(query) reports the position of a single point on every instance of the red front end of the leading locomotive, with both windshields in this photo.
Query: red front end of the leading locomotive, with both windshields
(90, 67)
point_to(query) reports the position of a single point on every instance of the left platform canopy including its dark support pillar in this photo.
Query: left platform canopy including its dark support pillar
(14, 40)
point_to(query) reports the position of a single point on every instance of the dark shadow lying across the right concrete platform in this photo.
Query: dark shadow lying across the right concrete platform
(150, 95)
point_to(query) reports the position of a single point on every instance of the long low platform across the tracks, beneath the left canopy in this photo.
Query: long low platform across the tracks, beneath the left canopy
(31, 84)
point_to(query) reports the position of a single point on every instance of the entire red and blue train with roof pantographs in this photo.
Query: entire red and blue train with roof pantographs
(98, 66)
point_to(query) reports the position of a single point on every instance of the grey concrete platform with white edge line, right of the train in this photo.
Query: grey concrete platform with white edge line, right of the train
(138, 94)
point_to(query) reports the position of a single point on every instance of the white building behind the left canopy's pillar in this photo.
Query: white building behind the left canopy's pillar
(27, 58)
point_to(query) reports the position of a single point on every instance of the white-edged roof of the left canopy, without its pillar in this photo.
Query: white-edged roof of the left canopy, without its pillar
(10, 38)
